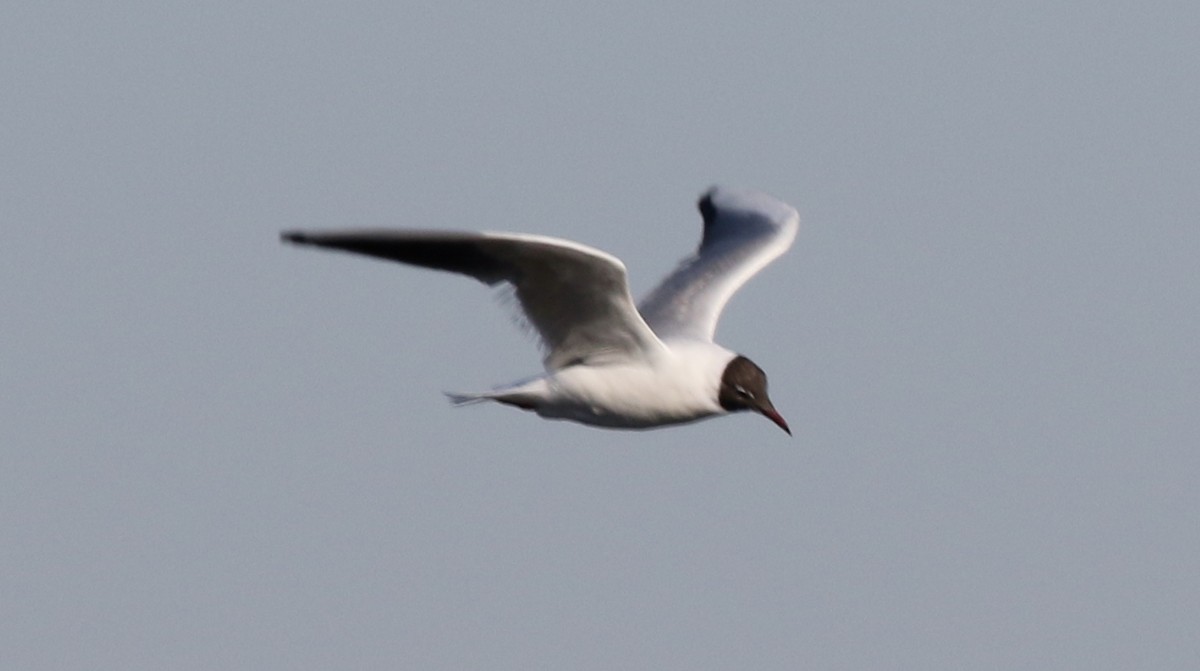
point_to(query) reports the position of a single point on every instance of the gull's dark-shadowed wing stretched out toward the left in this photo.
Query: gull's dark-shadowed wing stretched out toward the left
(577, 298)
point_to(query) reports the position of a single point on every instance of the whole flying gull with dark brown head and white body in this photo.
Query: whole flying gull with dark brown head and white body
(611, 363)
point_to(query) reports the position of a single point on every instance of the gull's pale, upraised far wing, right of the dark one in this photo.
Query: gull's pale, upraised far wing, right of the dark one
(745, 231)
